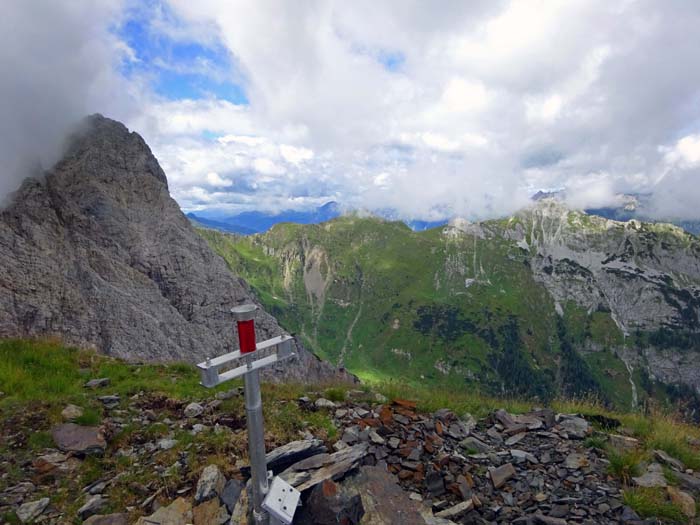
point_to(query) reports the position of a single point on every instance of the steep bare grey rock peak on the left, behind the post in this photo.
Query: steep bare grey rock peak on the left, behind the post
(97, 253)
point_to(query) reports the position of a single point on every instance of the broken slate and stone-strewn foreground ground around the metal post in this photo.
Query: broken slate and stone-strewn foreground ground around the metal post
(163, 461)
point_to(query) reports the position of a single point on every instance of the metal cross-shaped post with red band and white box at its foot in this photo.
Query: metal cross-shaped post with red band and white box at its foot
(275, 503)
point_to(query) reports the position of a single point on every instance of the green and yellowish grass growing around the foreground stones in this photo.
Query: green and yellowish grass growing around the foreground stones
(34, 399)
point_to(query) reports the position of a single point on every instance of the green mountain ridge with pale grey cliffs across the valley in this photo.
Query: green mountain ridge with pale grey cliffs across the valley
(548, 302)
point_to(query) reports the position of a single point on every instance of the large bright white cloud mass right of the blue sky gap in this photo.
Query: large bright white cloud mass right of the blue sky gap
(487, 103)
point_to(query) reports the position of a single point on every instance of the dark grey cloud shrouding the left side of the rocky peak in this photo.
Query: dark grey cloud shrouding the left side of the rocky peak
(59, 63)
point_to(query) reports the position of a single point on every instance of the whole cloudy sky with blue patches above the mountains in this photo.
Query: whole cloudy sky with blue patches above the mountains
(428, 109)
